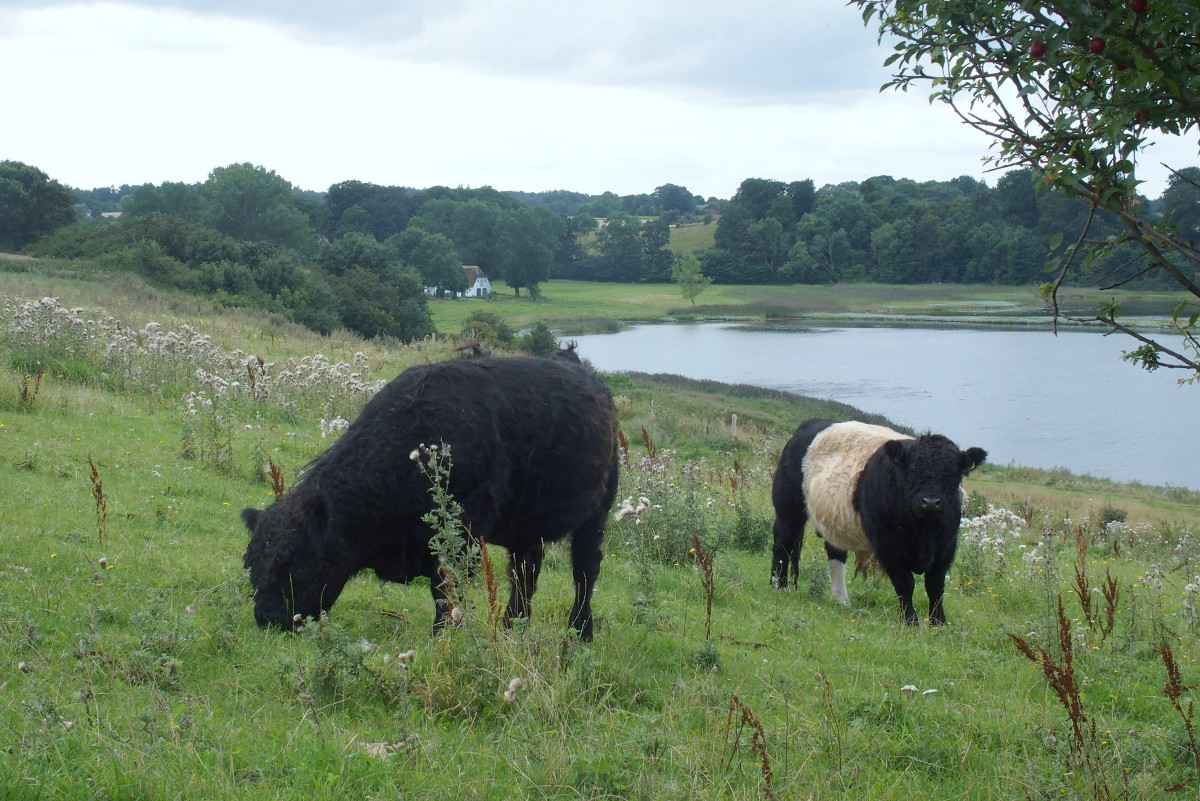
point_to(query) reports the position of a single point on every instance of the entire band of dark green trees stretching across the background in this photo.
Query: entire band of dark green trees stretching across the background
(361, 256)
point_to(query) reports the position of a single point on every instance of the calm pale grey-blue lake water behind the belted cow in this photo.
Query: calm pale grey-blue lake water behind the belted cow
(1027, 398)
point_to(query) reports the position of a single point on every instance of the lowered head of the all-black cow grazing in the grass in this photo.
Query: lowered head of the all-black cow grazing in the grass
(295, 571)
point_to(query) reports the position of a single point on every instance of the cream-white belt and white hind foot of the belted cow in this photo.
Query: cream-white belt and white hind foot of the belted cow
(832, 467)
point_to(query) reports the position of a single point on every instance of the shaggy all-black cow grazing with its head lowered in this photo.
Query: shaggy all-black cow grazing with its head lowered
(535, 455)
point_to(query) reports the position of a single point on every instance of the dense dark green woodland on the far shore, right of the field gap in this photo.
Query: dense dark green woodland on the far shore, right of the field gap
(897, 231)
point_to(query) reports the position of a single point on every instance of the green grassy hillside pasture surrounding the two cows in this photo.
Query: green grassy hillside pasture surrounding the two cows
(131, 667)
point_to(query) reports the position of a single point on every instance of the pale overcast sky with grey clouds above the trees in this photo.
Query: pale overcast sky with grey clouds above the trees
(530, 95)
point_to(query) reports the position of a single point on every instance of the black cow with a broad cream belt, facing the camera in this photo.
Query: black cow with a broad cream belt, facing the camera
(872, 490)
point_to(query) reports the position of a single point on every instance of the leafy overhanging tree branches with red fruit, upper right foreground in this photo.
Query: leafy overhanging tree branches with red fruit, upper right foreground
(1077, 91)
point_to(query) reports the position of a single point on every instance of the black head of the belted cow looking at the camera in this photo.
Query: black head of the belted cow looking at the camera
(932, 469)
